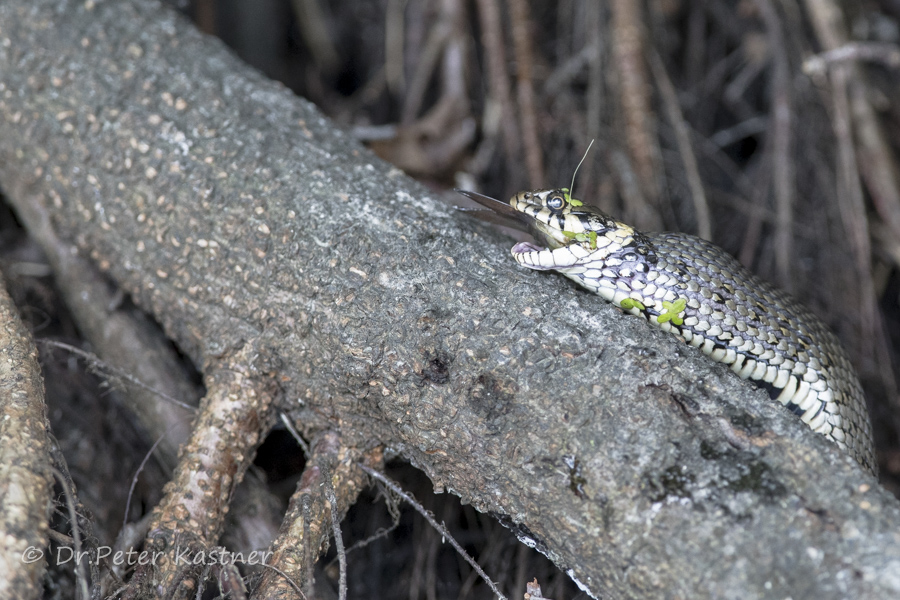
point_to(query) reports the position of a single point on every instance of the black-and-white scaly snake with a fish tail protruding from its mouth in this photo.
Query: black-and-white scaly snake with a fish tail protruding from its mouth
(687, 286)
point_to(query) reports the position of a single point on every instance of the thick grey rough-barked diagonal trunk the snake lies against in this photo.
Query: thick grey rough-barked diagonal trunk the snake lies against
(240, 217)
